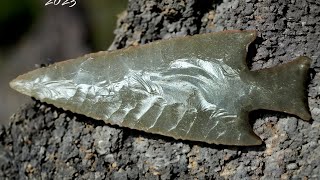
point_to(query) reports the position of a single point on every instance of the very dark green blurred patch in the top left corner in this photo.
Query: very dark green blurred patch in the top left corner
(16, 17)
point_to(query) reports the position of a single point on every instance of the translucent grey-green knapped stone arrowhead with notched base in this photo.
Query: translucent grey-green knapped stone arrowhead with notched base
(195, 88)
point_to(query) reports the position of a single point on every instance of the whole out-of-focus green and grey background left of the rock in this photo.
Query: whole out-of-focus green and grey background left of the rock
(32, 33)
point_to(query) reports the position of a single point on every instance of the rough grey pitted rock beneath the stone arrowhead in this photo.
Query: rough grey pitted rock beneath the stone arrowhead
(45, 142)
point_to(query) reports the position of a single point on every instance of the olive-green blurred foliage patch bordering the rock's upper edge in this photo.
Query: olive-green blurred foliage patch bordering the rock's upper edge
(102, 16)
